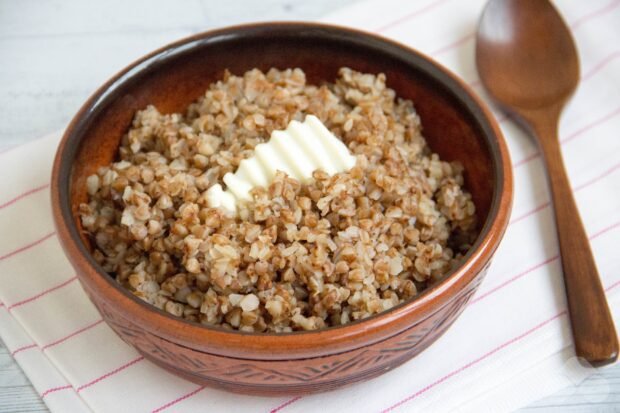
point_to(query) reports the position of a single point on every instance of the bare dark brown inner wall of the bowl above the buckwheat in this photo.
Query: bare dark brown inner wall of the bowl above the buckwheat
(172, 79)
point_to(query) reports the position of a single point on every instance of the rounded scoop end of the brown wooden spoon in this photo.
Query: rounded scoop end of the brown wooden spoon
(542, 72)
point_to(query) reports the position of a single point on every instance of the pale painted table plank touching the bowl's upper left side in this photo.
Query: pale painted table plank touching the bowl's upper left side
(48, 79)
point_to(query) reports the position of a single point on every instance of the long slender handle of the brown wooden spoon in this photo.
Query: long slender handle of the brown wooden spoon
(593, 327)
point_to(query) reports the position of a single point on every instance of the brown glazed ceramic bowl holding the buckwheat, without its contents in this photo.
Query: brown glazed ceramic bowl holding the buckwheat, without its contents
(456, 124)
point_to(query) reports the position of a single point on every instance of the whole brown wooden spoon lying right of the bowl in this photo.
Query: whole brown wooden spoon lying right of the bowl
(528, 62)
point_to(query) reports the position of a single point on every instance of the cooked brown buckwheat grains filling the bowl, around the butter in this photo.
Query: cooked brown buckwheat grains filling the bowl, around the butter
(298, 255)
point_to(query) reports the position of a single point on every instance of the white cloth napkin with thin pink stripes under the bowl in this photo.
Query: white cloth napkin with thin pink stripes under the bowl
(511, 345)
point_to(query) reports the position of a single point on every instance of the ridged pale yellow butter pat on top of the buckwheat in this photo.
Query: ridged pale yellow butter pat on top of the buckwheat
(297, 151)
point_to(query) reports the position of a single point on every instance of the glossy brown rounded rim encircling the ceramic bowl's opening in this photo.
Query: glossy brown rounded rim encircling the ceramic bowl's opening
(331, 340)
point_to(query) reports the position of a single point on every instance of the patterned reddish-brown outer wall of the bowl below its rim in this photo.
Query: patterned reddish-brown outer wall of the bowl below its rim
(289, 377)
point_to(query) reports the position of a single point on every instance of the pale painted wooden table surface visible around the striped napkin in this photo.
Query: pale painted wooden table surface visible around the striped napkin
(54, 53)
